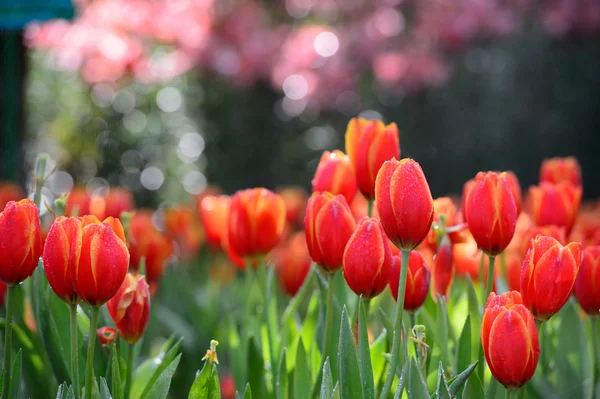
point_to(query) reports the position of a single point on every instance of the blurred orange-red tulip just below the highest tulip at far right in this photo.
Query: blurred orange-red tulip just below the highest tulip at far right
(556, 204)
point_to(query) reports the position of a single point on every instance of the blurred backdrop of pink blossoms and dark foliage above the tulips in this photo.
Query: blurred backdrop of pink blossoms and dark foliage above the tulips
(166, 97)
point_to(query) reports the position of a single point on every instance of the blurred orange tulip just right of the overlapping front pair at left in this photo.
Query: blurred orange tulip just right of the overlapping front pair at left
(146, 241)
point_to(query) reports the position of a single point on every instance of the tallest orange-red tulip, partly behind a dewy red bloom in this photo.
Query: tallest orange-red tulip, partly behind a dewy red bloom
(368, 145)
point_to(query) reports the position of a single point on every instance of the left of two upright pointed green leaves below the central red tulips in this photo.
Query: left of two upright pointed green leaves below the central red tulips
(349, 374)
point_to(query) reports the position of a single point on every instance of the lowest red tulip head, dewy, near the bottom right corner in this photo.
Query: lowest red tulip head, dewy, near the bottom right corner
(510, 339)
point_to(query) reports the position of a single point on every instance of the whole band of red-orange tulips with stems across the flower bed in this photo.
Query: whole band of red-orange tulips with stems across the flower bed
(371, 215)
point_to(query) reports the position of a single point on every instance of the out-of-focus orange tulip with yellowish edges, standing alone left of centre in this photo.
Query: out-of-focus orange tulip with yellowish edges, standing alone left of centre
(256, 221)
